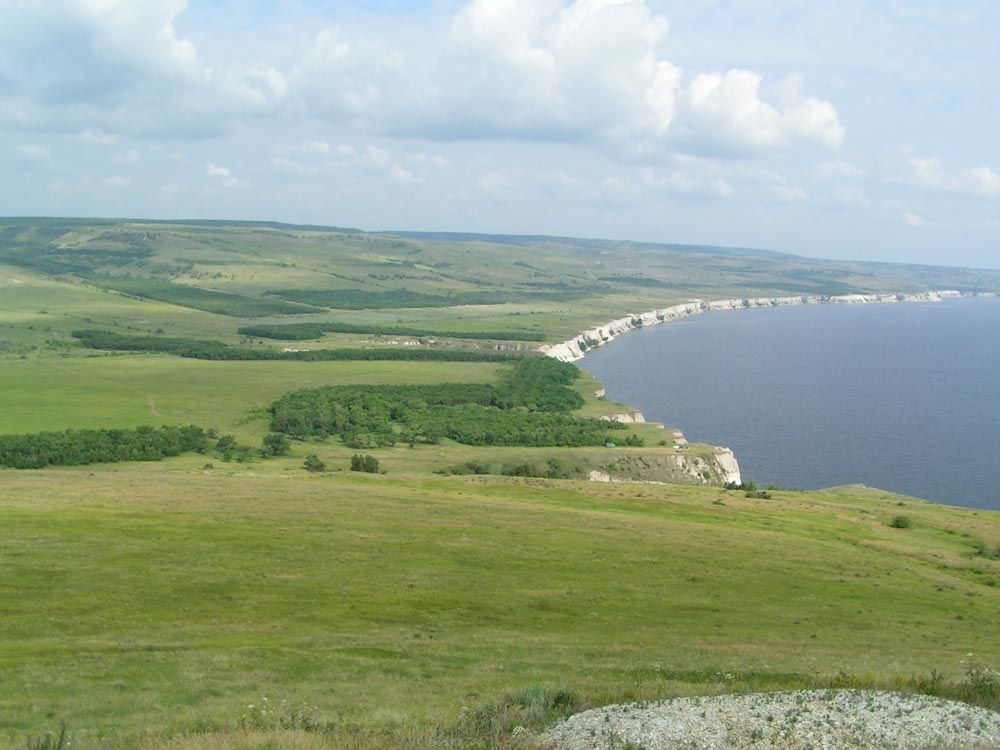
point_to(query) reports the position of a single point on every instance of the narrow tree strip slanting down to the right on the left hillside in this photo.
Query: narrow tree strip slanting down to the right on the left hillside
(222, 303)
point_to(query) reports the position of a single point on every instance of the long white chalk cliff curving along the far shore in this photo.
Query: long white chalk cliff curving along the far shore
(576, 348)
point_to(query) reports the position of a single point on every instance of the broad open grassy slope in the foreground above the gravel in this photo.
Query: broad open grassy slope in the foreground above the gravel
(169, 597)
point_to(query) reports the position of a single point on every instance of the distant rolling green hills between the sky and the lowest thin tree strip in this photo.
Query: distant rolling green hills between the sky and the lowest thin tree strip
(279, 282)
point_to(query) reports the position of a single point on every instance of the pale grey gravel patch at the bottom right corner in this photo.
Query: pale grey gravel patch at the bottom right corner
(793, 720)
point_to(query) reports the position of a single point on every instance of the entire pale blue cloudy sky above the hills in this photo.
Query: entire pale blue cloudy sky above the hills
(839, 129)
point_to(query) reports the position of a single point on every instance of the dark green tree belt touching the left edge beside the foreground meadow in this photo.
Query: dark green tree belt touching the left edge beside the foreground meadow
(78, 447)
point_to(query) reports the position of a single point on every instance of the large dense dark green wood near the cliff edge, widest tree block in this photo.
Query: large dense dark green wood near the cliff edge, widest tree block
(529, 406)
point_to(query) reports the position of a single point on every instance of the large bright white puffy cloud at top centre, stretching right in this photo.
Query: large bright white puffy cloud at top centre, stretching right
(588, 70)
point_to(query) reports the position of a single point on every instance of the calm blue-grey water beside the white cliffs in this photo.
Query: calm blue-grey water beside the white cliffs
(905, 397)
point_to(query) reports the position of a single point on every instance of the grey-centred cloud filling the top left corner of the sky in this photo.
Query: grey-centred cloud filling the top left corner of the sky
(108, 67)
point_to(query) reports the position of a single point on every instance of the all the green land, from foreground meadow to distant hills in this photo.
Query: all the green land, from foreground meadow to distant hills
(300, 487)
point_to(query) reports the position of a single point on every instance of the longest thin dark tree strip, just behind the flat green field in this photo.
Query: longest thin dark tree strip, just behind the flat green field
(217, 350)
